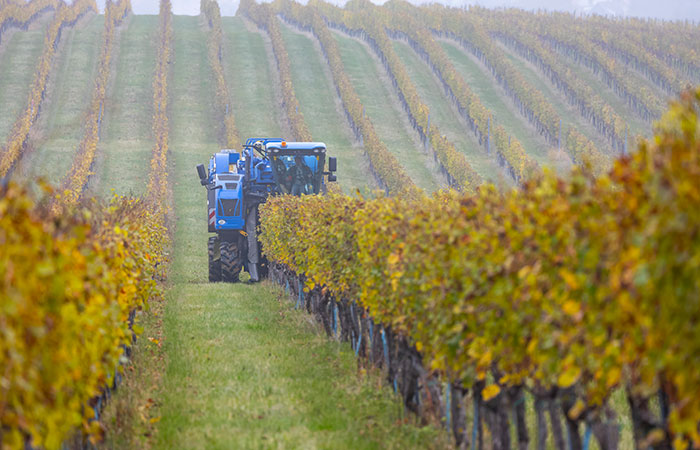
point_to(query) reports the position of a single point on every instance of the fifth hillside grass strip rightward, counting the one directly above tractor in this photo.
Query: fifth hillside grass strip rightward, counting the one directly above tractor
(494, 98)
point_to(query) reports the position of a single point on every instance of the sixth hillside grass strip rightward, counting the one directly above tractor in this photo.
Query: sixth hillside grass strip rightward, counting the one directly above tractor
(568, 114)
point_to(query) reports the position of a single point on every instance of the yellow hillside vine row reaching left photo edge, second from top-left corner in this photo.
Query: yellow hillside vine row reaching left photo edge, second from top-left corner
(65, 16)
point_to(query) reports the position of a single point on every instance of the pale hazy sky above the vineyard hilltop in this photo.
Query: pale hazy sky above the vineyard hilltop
(664, 9)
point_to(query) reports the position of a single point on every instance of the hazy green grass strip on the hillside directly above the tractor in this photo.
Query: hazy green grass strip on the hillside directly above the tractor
(250, 81)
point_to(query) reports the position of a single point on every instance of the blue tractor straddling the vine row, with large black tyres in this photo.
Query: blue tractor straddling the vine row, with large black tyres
(237, 183)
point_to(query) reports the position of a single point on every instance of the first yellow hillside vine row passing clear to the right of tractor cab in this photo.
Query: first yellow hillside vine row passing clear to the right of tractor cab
(383, 164)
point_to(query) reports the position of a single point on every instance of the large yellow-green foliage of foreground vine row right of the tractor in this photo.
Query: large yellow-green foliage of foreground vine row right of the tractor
(585, 284)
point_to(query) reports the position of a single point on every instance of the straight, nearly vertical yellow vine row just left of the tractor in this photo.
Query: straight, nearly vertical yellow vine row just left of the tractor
(158, 187)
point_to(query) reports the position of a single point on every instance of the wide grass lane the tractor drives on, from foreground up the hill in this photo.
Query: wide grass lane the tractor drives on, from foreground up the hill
(244, 370)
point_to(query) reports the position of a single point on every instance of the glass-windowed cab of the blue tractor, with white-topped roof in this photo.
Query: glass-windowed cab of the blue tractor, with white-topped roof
(297, 167)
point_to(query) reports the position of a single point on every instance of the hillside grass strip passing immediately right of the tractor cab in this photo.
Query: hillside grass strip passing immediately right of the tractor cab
(317, 98)
